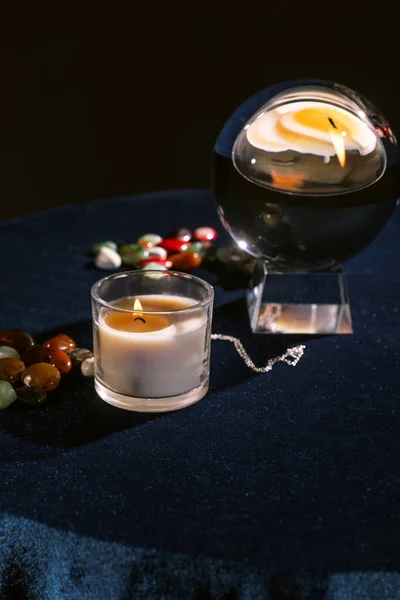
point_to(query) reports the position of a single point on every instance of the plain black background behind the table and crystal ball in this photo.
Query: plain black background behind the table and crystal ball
(121, 103)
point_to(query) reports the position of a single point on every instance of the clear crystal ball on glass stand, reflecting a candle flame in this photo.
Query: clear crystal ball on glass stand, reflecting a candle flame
(305, 174)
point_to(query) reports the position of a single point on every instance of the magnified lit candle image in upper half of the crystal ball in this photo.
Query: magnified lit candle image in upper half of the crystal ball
(301, 144)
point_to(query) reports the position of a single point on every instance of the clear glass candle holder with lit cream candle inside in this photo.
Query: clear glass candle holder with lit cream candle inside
(152, 339)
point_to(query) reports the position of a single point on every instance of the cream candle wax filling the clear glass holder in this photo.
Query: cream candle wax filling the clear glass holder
(166, 362)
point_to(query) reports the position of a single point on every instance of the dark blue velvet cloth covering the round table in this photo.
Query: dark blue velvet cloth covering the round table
(278, 486)
